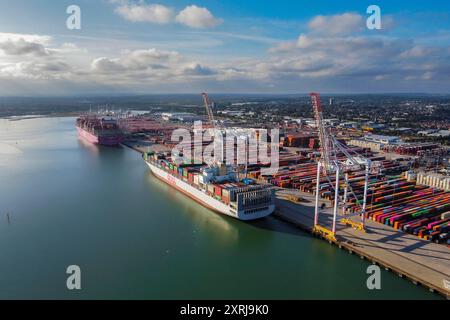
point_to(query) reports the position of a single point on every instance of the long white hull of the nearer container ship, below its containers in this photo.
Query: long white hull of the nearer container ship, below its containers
(203, 198)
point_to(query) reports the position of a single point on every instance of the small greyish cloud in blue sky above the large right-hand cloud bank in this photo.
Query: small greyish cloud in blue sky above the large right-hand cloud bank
(341, 24)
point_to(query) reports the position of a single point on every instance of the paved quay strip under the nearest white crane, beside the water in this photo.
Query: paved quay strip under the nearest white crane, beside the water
(422, 262)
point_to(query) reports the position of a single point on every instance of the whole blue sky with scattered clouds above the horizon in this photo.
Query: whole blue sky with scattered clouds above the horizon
(227, 46)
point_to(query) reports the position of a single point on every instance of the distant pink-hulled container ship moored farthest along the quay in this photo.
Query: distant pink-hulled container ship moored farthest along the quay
(99, 129)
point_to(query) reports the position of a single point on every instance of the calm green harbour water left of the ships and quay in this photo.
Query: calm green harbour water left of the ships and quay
(64, 202)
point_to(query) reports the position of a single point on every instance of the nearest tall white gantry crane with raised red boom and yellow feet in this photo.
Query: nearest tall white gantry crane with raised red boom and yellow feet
(336, 159)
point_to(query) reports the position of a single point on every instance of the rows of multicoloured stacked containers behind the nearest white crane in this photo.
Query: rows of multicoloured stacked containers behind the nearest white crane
(424, 210)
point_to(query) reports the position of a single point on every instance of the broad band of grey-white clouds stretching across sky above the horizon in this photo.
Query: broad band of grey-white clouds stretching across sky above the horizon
(342, 60)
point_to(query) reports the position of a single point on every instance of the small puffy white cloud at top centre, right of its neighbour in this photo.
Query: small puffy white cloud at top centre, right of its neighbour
(197, 17)
